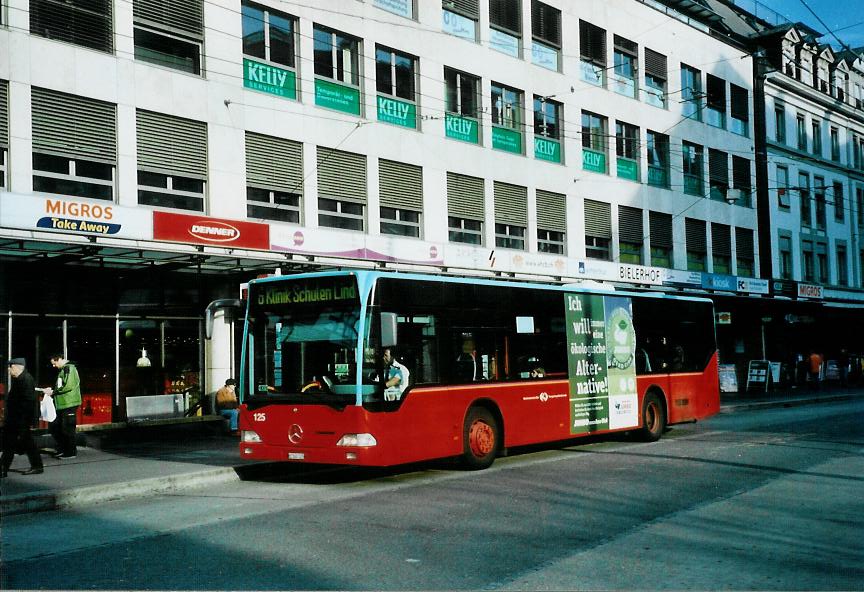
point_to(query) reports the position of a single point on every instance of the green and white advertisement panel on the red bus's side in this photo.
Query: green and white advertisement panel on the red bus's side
(601, 348)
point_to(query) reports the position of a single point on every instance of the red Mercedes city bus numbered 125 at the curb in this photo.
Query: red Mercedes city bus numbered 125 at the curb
(482, 366)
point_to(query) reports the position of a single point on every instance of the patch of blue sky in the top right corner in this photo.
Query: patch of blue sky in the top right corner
(837, 14)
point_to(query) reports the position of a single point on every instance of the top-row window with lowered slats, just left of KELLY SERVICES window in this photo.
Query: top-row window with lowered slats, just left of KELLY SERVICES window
(169, 34)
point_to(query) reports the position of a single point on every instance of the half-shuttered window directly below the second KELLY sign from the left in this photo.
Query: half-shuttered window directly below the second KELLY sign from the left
(400, 188)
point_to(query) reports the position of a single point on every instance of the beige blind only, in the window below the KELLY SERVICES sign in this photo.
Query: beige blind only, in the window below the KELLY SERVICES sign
(274, 163)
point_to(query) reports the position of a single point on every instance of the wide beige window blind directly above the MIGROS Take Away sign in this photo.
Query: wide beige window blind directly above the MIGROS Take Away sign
(73, 126)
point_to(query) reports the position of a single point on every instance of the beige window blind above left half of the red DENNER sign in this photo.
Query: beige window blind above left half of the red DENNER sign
(171, 145)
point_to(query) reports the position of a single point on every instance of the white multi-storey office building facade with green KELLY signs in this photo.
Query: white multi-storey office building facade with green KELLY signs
(154, 155)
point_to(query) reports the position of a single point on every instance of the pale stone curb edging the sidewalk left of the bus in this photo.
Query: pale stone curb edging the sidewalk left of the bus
(26, 503)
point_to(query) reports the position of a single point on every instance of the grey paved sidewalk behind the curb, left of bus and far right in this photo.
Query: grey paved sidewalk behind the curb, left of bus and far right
(127, 461)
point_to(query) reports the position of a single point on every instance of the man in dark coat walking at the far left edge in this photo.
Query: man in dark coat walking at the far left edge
(22, 413)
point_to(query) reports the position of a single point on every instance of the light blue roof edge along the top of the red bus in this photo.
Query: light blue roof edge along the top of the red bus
(366, 277)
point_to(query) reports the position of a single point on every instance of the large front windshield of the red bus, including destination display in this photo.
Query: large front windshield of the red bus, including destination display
(302, 340)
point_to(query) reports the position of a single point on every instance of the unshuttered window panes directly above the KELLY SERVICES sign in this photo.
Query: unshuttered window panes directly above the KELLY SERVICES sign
(269, 34)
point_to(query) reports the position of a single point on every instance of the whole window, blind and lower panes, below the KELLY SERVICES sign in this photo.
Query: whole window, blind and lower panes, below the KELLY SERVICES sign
(274, 178)
